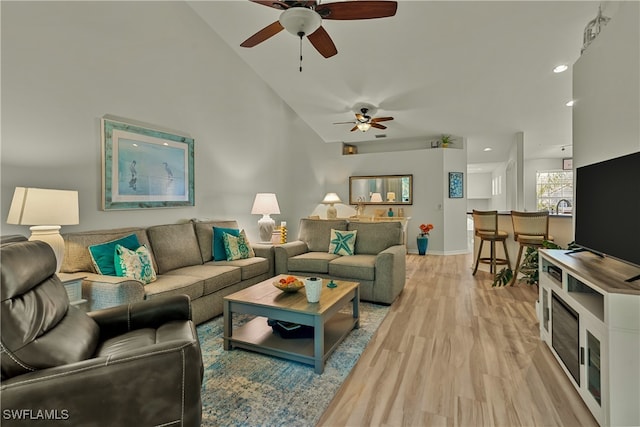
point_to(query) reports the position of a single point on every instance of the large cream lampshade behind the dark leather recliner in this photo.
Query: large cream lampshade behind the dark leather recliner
(40, 206)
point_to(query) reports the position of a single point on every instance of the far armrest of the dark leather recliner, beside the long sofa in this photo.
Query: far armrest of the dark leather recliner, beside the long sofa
(145, 314)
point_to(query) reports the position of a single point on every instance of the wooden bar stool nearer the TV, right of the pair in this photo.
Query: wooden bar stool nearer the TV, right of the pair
(530, 229)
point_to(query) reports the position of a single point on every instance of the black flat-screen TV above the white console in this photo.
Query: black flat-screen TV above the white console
(607, 208)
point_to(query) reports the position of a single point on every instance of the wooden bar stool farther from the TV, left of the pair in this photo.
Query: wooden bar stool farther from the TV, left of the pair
(485, 225)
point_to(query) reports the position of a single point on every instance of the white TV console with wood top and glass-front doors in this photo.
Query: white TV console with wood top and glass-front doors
(597, 330)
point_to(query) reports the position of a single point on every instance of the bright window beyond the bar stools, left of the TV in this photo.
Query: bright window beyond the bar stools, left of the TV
(554, 191)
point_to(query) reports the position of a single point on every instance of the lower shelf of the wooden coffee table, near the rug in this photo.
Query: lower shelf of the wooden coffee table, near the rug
(256, 335)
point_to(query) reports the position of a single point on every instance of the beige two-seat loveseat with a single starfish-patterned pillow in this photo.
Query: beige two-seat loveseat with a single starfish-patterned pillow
(378, 263)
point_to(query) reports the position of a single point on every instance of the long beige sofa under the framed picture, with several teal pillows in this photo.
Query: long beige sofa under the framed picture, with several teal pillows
(182, 258)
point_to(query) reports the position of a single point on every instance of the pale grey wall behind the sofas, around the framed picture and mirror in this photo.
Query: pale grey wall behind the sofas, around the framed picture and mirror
(67, 64)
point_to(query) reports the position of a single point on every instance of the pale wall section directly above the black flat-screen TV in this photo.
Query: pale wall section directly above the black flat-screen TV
(606, 87)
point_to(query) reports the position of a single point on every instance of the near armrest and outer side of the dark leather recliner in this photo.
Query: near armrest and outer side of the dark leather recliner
(112, 389)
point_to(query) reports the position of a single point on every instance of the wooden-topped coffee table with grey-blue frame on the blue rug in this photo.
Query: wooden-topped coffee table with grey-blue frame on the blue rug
(264, 300)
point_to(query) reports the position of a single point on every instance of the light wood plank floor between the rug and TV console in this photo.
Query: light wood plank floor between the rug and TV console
(453, 351)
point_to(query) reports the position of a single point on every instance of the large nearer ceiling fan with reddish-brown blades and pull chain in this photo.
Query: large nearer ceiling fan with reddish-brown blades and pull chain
(304, 18)
